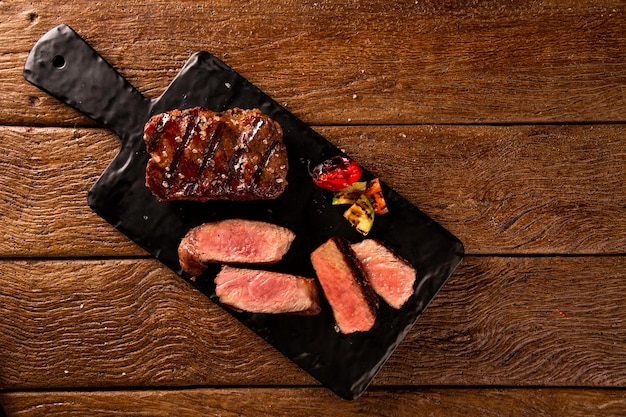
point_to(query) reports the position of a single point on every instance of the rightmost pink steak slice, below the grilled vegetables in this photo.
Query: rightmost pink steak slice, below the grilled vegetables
(387, 273)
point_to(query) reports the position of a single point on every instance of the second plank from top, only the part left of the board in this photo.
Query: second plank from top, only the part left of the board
(43, 193)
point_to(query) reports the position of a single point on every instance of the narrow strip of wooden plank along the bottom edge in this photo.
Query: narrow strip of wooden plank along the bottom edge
(310, 401)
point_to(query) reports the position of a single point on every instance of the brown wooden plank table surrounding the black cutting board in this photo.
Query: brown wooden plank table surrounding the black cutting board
(503, 121)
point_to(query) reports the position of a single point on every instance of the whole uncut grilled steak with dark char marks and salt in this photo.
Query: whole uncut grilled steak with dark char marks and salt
(200, 155)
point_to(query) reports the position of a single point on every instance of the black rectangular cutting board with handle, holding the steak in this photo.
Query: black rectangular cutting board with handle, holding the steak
(65, 66)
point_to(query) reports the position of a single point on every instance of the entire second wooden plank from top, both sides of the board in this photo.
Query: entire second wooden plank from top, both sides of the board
(500, 189)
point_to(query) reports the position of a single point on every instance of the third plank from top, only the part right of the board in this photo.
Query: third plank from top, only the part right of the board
(521, 321)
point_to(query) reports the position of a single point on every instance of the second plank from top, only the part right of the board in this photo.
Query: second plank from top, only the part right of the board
(506, 189)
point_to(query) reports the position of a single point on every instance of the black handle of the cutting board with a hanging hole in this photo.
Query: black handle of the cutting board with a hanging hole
(65, 66)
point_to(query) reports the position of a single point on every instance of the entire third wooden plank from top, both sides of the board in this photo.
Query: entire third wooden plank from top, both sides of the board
(499, 321)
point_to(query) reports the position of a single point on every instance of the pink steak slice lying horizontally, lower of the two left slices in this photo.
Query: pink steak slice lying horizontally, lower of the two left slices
(259, 291)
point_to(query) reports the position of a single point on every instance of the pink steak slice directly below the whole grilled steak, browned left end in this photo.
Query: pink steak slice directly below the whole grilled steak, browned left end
(233, 241)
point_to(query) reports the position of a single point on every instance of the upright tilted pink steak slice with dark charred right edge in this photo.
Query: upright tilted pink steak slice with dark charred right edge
(353, 302)
